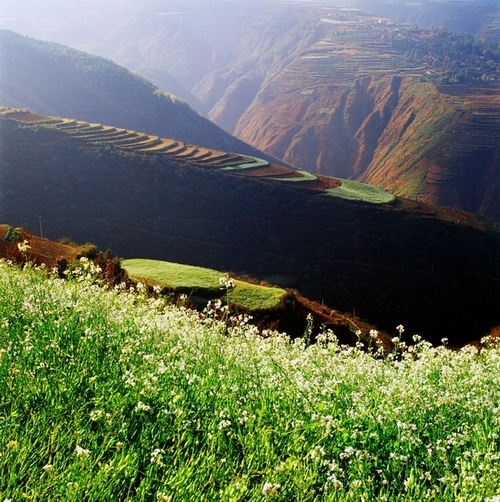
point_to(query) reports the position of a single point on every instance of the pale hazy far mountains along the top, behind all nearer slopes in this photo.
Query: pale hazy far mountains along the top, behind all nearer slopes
(190, 38)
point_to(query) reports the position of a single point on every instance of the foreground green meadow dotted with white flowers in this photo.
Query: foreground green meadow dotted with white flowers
(111, 396)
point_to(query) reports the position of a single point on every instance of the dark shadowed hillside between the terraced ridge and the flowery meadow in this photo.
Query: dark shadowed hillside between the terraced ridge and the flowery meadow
(435, 270)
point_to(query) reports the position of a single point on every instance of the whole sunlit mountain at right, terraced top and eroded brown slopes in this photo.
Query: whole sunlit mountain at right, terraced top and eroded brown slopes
(354, 105)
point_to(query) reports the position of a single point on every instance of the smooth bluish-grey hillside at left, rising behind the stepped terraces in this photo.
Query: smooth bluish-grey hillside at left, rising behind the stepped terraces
(52, 79)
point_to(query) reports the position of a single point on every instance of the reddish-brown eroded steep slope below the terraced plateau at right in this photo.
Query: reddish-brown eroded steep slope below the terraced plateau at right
(410, 138)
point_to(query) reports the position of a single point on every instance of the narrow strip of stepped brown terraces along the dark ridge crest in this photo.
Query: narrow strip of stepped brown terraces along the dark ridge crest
(94, 135)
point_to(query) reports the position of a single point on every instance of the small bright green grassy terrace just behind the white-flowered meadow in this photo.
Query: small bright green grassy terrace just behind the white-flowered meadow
(205, 281)
